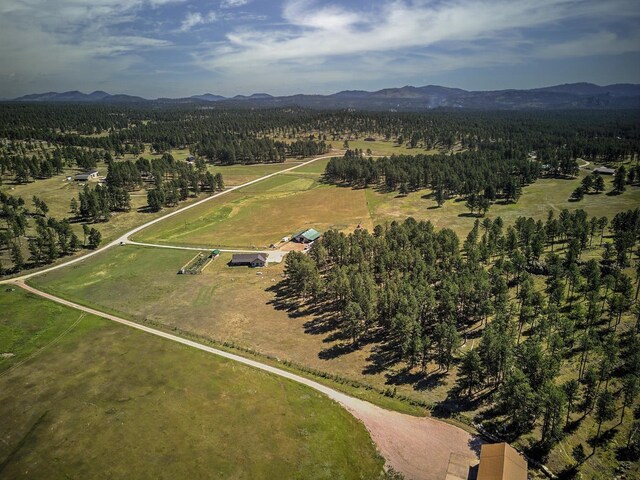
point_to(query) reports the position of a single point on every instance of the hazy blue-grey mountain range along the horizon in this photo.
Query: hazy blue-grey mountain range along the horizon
(567, 96)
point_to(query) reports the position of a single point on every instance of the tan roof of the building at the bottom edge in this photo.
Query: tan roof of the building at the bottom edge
(500, 461)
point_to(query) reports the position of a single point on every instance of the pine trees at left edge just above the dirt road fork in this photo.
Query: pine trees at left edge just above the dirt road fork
(47, 240)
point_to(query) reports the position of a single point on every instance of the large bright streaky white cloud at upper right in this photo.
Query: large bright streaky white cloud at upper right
(333, 31)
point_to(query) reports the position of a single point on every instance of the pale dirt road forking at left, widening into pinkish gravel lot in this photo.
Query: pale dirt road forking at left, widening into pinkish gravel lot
(418, 447)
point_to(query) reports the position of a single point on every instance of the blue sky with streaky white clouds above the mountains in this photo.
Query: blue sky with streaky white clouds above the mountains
(177, 48)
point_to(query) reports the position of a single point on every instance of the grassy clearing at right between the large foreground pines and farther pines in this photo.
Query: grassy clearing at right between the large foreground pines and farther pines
(536, 201)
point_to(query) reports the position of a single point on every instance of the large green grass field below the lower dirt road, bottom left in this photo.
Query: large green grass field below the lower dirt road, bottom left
(86, 398)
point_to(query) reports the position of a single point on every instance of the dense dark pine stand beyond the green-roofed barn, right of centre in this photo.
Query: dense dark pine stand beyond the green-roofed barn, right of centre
(482, 178)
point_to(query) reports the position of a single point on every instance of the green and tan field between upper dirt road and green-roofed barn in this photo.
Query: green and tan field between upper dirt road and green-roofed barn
(261, 214)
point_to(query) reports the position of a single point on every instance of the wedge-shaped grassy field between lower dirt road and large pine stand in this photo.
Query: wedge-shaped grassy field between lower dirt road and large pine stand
(223, 303)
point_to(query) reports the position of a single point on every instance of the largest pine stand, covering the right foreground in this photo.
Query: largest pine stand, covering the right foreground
(540, 312)
